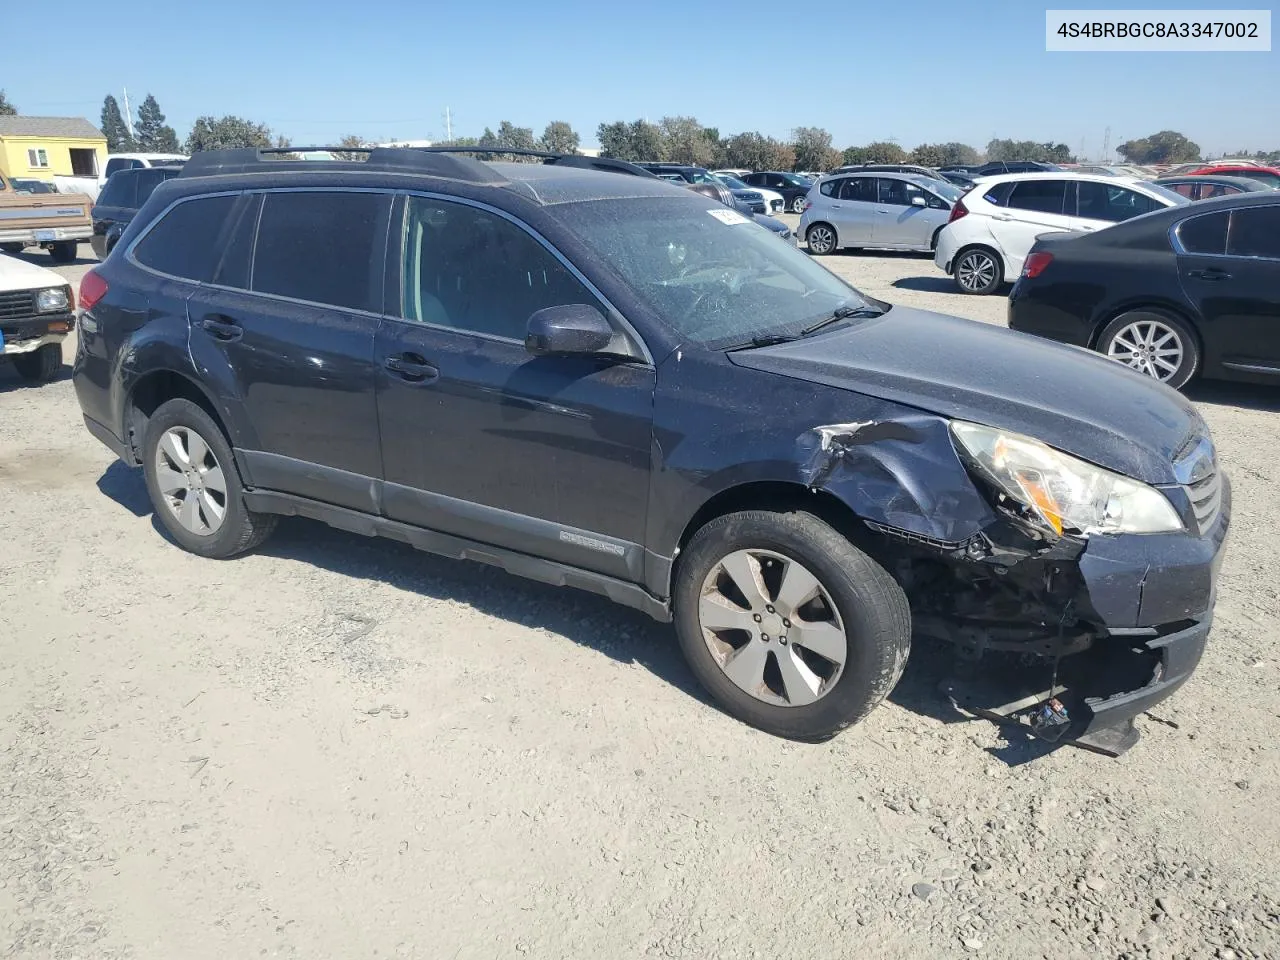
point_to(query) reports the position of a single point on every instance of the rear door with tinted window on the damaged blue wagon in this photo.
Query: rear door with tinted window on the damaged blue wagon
(286, 328)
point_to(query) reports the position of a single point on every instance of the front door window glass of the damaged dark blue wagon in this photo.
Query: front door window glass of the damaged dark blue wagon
(473, 271)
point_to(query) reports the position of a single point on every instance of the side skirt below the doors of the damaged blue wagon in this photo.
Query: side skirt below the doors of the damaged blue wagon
(460, 548)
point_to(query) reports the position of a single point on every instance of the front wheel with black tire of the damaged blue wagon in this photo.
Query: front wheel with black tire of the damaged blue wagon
(788, 625)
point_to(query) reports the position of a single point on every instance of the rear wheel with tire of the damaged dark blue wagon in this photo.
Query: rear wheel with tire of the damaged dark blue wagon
(195, 486)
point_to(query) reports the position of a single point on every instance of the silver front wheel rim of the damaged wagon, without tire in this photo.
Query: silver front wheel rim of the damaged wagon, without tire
(772, 628)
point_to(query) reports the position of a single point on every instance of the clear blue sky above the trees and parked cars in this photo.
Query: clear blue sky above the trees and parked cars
(865, 71)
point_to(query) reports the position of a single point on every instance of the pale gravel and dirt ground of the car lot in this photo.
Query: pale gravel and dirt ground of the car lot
(341, 748)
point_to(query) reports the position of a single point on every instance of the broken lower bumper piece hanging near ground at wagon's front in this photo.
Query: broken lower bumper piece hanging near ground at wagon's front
(1099, 692)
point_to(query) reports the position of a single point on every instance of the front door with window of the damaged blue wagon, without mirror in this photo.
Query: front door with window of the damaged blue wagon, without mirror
(547, 456)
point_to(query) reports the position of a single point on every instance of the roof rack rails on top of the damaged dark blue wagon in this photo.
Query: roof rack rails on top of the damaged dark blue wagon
(432, 162)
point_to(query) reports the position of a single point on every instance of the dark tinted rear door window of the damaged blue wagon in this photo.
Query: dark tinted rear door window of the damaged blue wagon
(323, 248)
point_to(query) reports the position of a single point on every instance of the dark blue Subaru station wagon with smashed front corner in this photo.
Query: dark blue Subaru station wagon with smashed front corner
(609, 382)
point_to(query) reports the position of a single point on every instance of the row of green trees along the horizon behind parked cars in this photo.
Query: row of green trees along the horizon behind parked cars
(674, 139)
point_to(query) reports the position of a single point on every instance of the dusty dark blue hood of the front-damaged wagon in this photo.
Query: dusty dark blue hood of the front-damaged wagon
(1067, 397)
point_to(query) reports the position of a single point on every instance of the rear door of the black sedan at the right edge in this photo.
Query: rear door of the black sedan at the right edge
(1229, 267)
